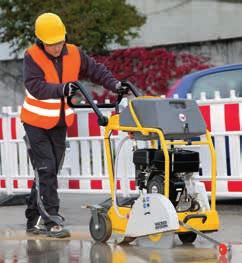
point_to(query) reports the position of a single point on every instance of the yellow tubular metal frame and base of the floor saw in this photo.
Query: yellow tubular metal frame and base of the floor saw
(119, 223)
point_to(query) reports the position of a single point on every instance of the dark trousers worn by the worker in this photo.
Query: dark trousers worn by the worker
(48, 148)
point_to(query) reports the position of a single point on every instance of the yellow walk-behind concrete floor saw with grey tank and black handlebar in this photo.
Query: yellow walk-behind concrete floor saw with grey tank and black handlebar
(169, 199)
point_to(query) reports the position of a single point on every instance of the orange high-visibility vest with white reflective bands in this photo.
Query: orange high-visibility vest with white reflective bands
(46, 113)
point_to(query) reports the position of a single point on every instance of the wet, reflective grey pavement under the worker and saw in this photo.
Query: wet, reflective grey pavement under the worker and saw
(16, 246)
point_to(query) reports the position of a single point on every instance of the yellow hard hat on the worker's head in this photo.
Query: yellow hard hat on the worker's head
(49, 28)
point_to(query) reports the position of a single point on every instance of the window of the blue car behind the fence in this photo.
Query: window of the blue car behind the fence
(221, 81)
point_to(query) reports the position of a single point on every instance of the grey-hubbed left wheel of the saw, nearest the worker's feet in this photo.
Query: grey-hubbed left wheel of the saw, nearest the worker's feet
(104, 230)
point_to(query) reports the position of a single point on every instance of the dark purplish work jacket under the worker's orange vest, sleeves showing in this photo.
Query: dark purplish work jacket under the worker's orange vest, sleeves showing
(36, 85)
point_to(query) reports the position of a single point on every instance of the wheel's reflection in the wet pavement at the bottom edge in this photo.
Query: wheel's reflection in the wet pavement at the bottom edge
(100, 253)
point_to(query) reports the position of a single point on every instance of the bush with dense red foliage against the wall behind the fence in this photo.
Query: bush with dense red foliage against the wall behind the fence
(151, 70)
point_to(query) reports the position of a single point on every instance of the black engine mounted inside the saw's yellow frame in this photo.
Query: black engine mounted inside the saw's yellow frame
(149, 174)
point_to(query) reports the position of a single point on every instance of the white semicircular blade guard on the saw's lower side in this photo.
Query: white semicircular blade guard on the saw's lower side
(151, 214)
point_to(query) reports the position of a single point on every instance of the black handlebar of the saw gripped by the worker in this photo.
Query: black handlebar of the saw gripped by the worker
(102, 120)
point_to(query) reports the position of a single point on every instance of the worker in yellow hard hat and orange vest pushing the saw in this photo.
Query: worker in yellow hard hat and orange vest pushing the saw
(51, 68)
